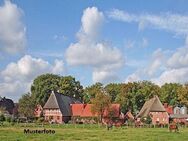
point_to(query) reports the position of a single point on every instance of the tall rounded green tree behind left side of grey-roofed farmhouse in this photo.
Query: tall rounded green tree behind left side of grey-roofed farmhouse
(42, 87)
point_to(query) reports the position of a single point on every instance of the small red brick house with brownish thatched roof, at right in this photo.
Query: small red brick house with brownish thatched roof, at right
(155, 110)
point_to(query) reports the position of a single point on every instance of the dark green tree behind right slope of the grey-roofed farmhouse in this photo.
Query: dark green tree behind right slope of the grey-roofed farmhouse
(70, 87)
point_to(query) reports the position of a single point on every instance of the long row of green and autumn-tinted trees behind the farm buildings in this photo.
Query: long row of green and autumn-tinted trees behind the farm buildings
(131, 96)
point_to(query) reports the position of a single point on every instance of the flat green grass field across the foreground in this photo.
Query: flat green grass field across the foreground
(92, 133)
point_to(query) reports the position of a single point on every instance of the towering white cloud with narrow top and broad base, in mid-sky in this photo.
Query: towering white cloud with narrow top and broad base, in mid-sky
(88, 51)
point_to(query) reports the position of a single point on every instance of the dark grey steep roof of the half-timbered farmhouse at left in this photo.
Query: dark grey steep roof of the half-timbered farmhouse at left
(62, 102)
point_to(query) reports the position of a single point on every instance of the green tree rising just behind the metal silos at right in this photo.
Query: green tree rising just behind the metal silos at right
(169, 93)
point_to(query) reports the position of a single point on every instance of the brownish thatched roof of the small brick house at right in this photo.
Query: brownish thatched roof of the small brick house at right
(152, 105)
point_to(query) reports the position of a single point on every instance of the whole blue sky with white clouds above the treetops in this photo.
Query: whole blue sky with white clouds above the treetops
(103, 41)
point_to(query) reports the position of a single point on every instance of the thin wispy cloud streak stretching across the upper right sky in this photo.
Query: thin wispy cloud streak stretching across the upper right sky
(175, 23)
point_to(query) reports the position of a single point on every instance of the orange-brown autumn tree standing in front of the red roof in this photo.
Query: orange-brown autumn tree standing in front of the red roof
(100, 103)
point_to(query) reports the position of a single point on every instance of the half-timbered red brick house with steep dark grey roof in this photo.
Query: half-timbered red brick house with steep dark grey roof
(57, 109)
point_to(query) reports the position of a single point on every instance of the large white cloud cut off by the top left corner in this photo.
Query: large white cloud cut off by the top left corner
(12, 29)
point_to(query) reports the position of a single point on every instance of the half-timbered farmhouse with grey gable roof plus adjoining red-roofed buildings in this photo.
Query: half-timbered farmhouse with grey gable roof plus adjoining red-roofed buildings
(60, 109)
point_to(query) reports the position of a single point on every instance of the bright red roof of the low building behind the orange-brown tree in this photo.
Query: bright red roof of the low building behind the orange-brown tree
(84, 110)
